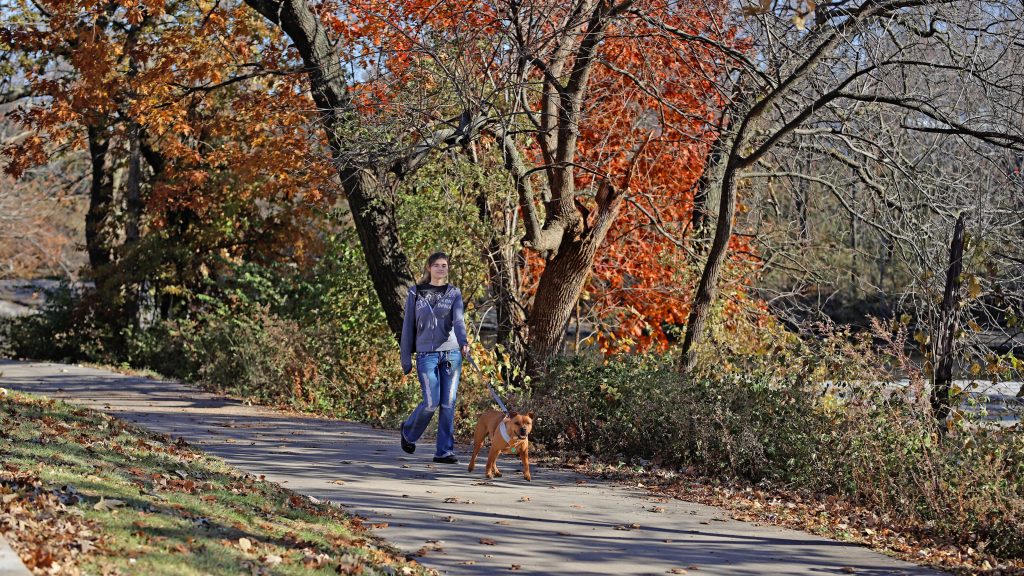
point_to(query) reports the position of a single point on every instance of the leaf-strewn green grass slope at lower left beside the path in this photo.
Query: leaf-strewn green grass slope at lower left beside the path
(96, 496)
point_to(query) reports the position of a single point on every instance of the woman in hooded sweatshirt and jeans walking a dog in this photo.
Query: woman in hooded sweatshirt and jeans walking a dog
(436, 330)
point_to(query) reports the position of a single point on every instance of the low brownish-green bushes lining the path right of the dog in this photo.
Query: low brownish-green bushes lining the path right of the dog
(787, 423)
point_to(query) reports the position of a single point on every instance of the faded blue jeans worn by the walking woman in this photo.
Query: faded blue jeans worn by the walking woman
(439, 373)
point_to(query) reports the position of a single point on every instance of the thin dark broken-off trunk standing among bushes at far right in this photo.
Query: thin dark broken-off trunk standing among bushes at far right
(944, 351)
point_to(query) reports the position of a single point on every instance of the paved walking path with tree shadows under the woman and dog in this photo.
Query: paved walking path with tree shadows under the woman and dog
(561, 524)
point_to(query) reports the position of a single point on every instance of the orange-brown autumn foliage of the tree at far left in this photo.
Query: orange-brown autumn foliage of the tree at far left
(212, 93)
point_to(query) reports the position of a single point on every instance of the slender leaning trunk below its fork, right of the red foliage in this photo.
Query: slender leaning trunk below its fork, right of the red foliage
(708, 289)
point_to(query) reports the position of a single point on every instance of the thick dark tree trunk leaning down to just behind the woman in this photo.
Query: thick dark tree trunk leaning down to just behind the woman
(373, 211)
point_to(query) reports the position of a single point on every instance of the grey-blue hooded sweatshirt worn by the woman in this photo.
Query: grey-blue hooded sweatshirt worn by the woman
(437, 328)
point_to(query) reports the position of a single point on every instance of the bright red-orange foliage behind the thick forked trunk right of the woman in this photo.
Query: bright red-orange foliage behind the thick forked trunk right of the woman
(655, 96)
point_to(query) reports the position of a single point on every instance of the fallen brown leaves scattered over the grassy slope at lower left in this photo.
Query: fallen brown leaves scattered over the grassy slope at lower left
(47, 526)
